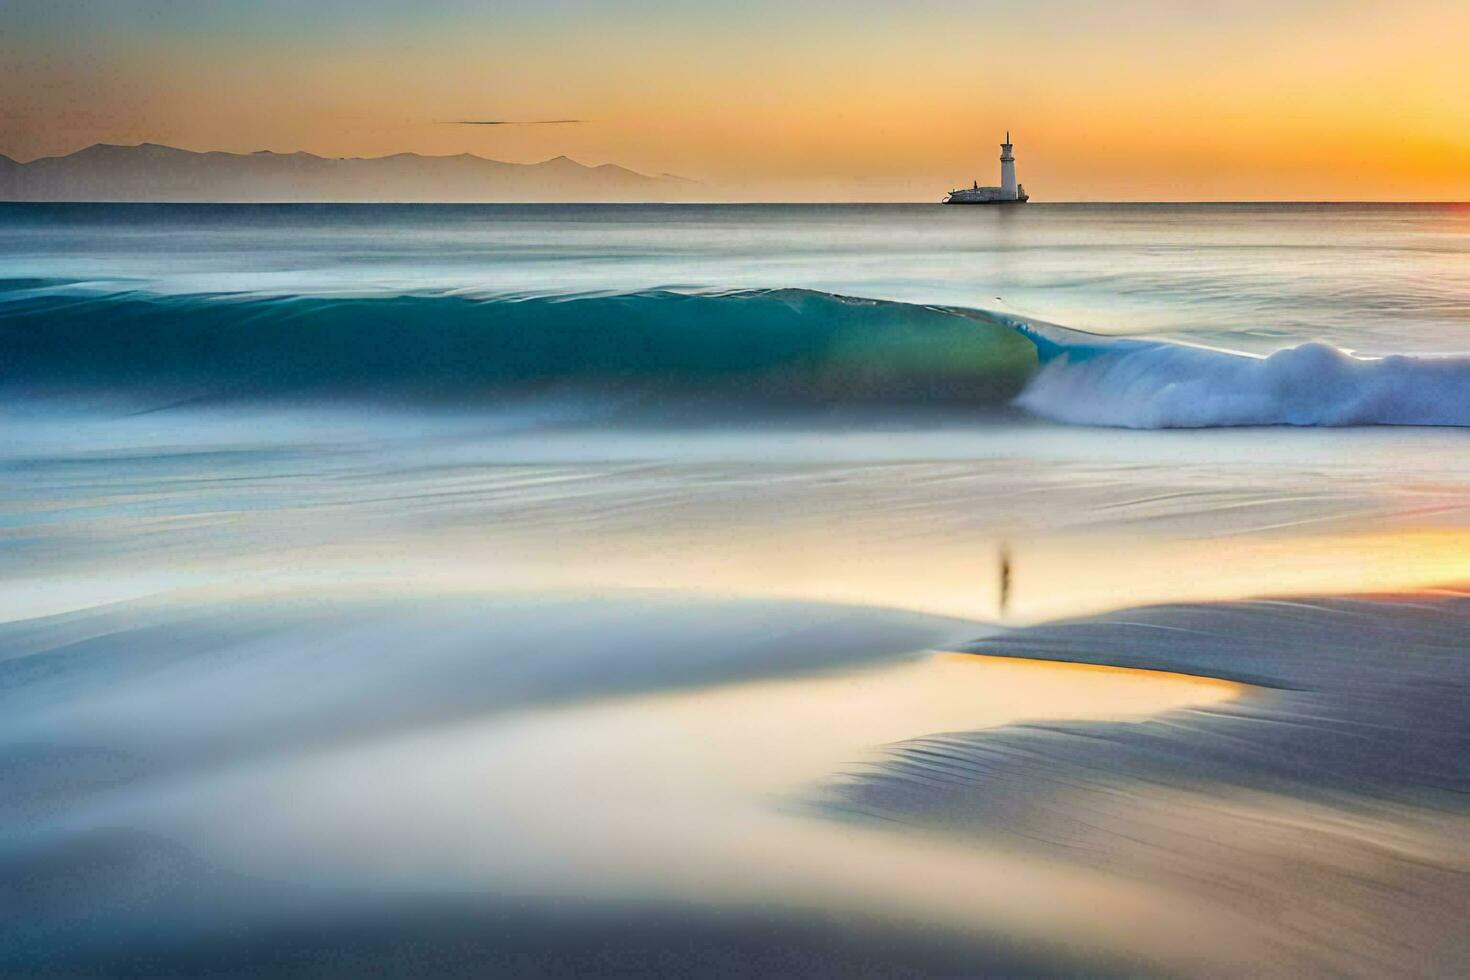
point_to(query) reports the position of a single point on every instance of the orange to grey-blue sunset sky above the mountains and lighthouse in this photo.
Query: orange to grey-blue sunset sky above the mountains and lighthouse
(792, 99)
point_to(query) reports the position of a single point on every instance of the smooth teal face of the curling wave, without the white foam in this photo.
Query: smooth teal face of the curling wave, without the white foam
(777, 345)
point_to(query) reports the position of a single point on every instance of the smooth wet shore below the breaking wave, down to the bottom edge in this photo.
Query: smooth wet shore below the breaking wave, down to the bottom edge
(487, 706)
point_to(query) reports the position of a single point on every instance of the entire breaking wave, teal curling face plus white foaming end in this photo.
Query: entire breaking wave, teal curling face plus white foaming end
(658, 350)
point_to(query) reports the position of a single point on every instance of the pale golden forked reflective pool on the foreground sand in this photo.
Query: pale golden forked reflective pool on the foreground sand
(690, 797)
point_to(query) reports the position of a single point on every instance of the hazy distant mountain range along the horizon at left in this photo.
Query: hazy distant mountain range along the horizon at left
(152, 173)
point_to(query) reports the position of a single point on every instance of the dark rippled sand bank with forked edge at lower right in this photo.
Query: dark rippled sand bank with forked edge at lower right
(1324, 809)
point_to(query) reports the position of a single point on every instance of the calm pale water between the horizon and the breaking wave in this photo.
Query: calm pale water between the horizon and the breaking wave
(1380, 278)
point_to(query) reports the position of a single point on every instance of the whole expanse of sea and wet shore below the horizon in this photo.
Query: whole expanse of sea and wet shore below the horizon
(611, 590)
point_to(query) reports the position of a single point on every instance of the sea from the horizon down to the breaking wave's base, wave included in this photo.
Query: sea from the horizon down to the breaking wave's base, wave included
(164, 305)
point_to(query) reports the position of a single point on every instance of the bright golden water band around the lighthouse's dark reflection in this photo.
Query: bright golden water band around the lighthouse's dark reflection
(1053, 577)
